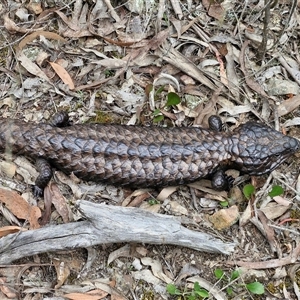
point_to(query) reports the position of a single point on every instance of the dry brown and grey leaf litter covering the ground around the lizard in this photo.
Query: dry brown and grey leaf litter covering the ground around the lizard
(98, 59)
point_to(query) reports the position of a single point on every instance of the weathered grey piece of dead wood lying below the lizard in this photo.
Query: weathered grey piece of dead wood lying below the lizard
(108, 224)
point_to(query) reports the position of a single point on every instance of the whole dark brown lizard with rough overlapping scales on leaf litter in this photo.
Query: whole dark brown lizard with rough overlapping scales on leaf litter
(147, 156)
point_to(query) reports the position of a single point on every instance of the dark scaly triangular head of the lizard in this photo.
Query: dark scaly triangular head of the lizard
(258, 149)
